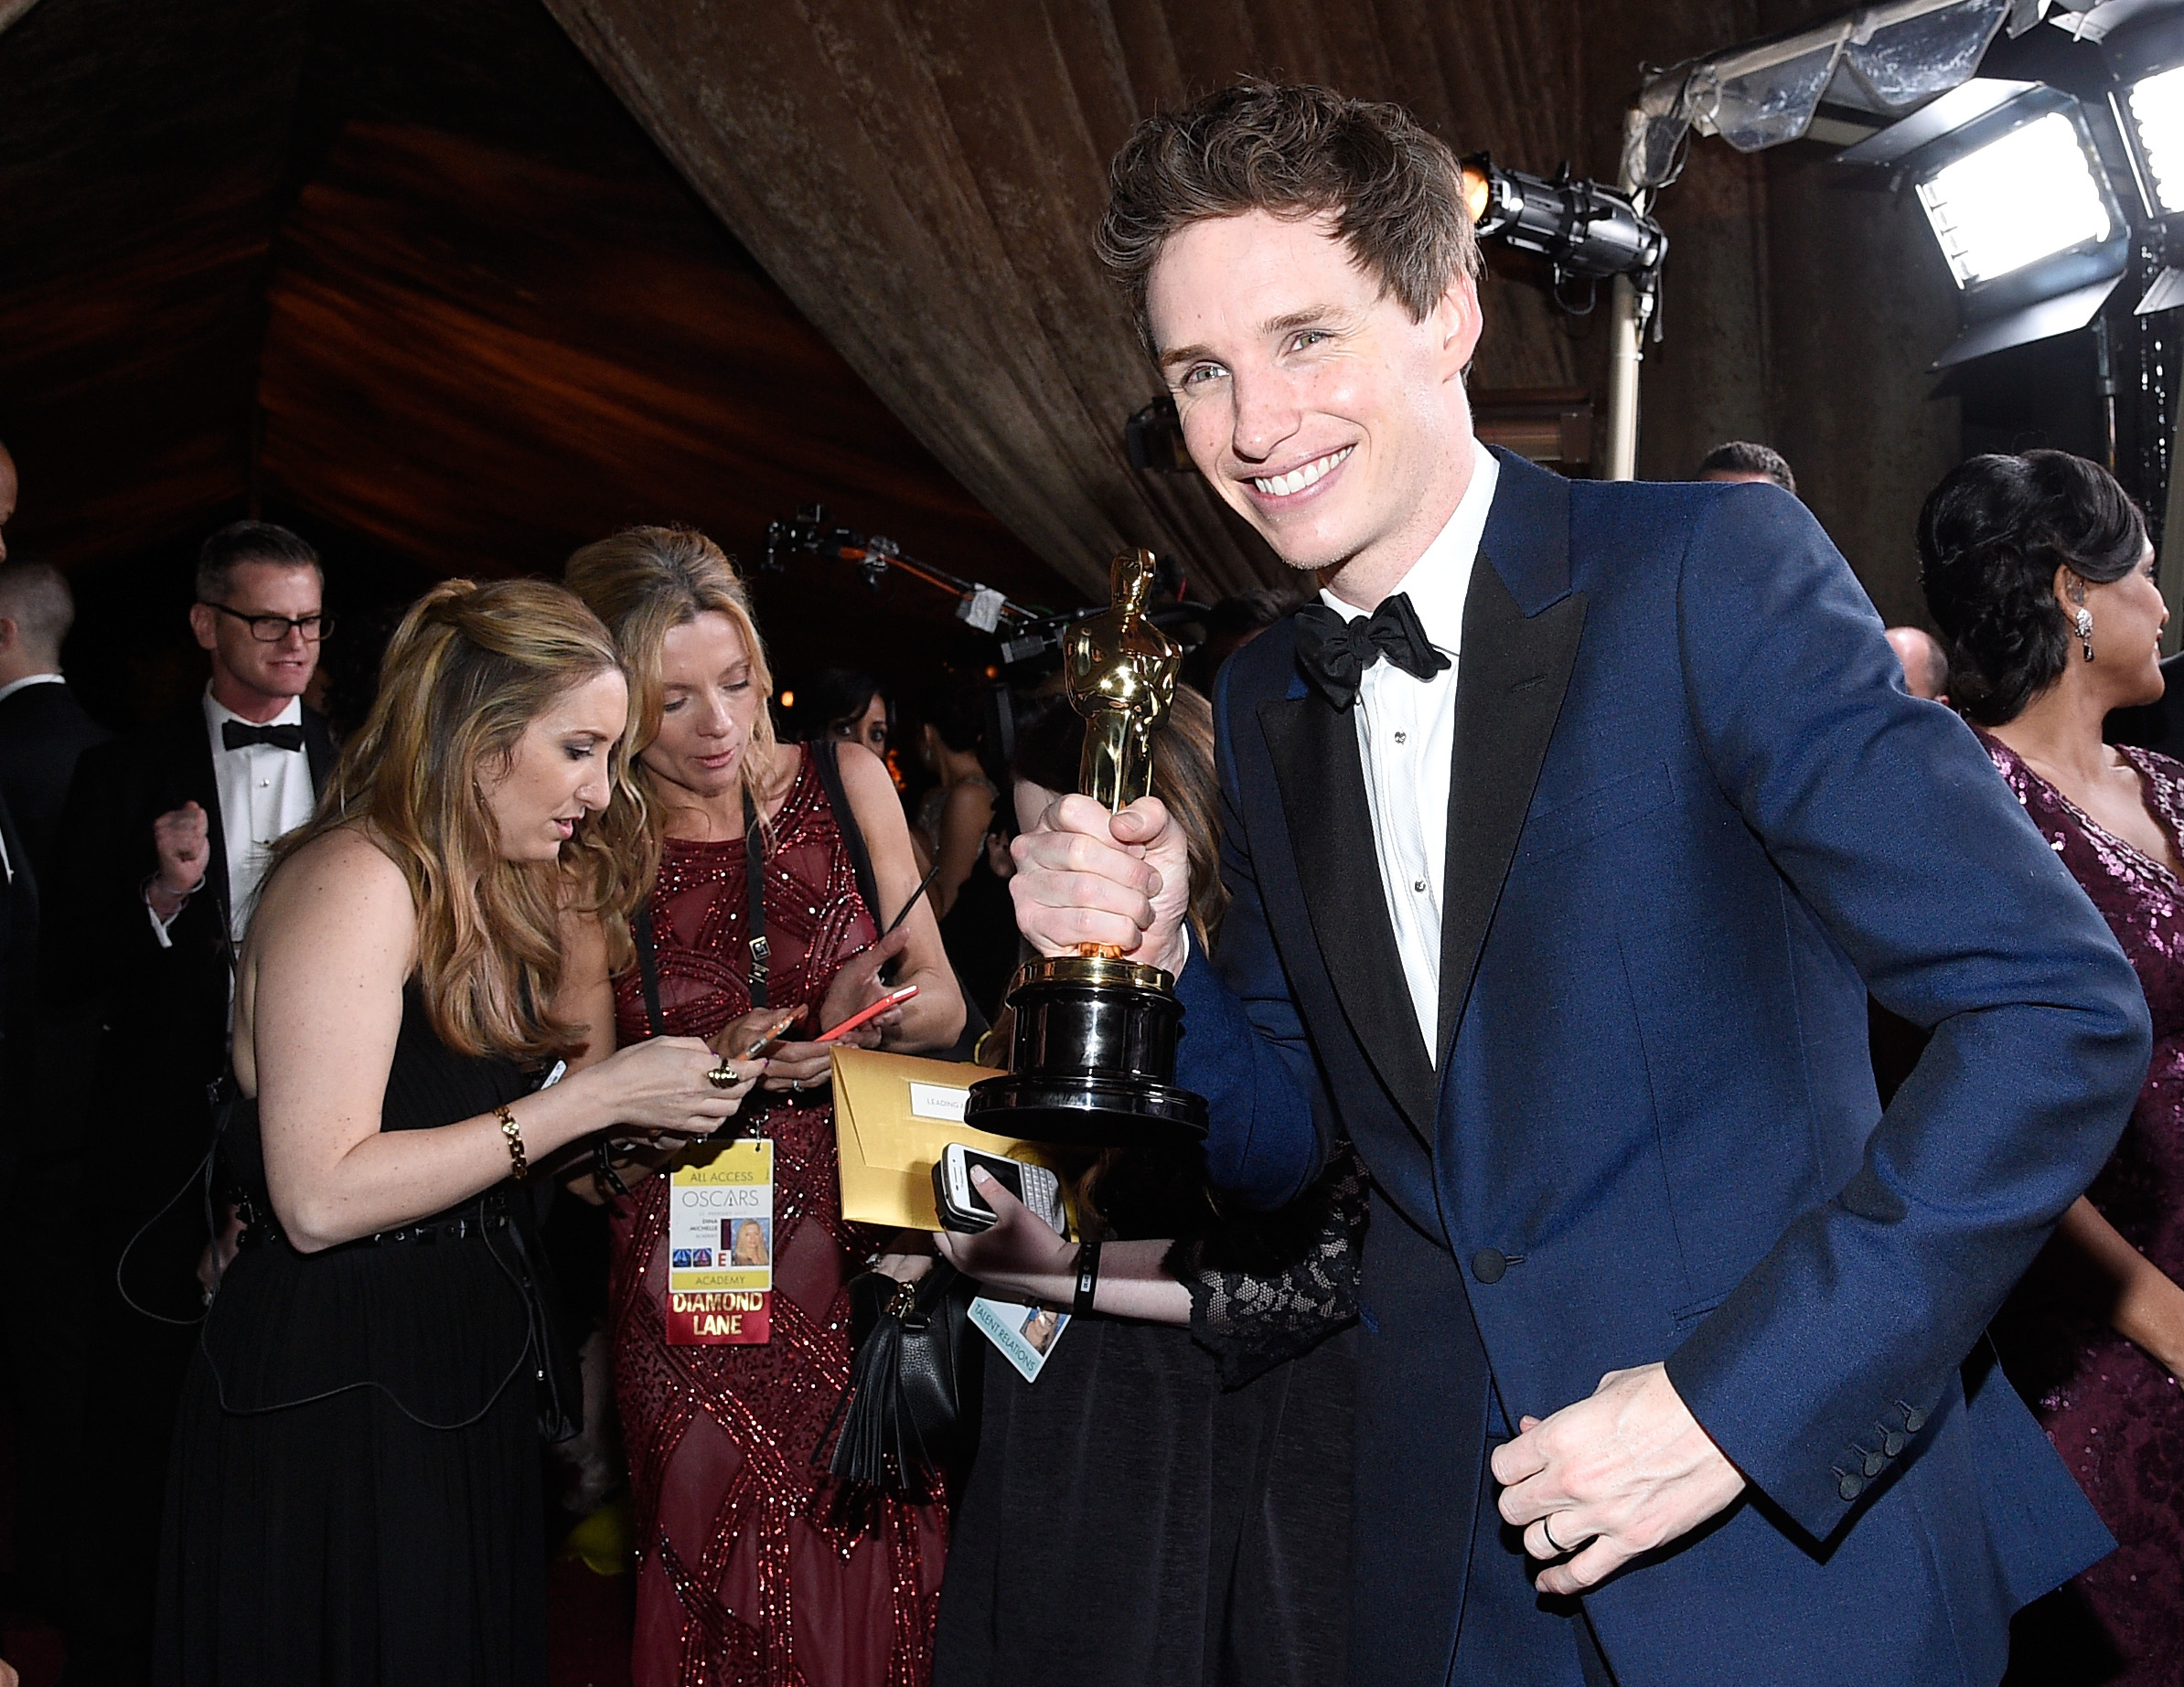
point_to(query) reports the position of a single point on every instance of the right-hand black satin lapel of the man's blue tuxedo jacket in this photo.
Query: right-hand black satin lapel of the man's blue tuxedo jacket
(1510, 686)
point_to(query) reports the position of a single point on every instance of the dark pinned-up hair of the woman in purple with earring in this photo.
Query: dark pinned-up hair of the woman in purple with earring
(1991, 540)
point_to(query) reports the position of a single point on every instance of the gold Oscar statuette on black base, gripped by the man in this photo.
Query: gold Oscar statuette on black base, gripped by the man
(1093, 1057)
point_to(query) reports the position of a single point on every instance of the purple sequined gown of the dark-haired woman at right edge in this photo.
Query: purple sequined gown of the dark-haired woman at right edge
(2111, 1411)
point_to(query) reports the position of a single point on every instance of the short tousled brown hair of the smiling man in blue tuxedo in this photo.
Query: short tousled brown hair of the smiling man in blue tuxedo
(1294, 152)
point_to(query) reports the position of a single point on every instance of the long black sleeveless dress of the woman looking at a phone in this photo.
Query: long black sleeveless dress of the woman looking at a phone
(355, 1489)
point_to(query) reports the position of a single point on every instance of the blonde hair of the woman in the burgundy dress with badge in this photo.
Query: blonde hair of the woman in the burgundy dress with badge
(643, 584)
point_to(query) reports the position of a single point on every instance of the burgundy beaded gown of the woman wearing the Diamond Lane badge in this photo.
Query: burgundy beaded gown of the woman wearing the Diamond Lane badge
(746, 1577)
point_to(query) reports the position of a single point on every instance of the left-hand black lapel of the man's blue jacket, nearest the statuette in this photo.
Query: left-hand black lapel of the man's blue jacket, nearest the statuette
(1316, 763)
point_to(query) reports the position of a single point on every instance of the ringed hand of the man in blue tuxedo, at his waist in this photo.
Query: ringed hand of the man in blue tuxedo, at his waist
(1613, 1476)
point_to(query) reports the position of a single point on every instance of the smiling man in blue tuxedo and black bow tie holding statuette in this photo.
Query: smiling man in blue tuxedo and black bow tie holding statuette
(1567, 837)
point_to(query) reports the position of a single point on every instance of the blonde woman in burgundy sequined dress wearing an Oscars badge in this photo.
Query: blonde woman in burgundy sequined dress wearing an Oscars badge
(748, 1575)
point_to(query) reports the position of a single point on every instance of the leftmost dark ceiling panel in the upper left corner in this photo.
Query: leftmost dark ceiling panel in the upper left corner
(141, 158)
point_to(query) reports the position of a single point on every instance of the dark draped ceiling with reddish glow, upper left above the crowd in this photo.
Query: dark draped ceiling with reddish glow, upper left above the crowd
(405, 276)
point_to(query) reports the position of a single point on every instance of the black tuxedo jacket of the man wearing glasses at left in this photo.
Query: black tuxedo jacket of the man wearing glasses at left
(104, 972)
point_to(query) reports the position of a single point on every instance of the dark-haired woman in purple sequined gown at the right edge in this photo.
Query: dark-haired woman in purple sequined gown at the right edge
(2041, 575)
